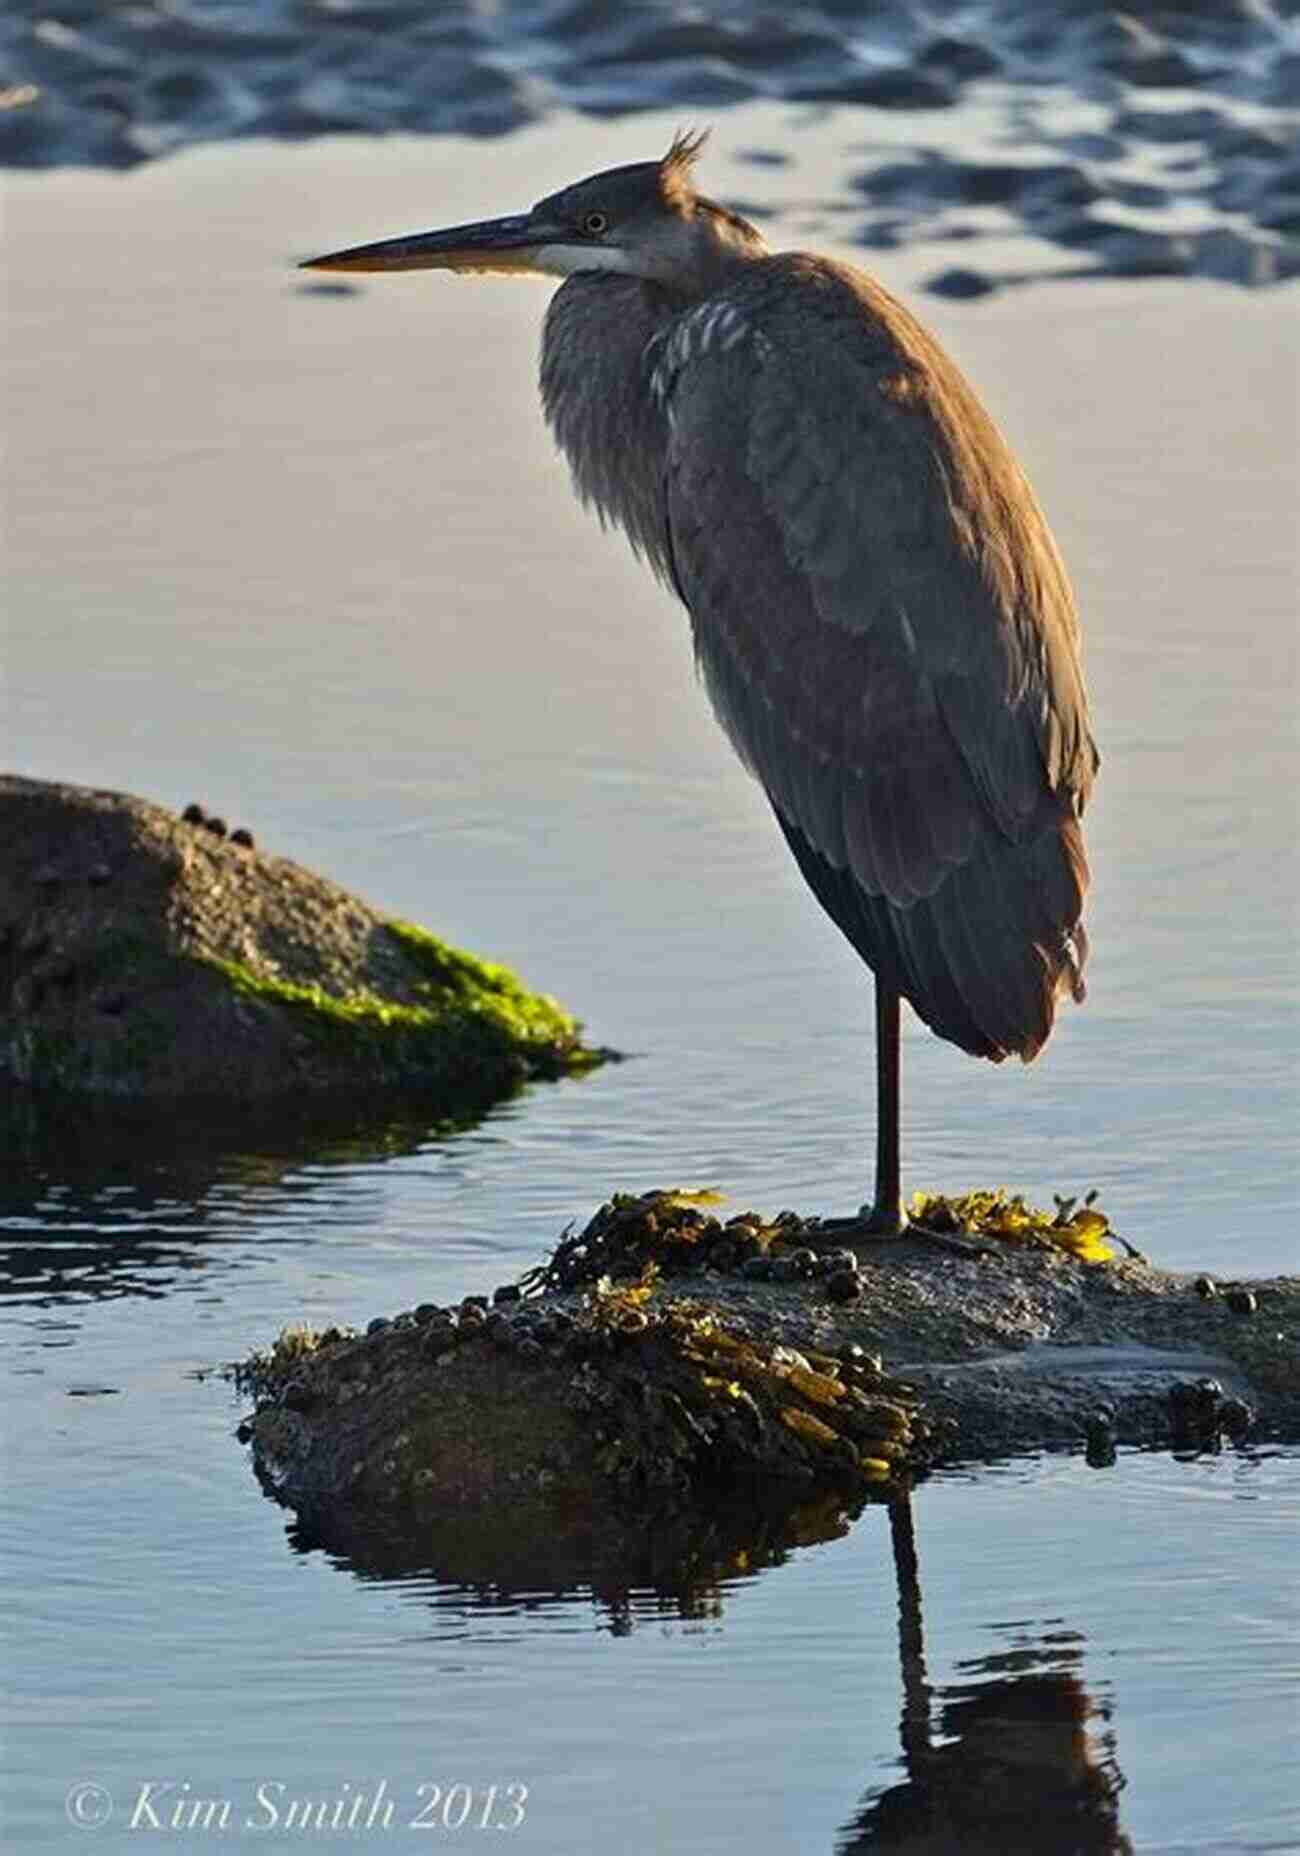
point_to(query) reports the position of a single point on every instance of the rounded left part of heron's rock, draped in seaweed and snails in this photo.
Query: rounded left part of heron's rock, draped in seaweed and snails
(630, 1393)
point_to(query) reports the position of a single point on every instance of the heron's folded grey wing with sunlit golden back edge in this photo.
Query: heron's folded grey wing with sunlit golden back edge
(887, 636)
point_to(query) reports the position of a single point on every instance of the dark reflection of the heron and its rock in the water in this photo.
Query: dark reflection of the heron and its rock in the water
(1011, 1766)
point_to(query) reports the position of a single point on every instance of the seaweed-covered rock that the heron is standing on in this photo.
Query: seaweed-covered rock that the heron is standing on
(649, 1361)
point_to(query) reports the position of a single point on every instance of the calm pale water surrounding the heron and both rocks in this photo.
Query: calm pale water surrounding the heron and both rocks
(309, 560)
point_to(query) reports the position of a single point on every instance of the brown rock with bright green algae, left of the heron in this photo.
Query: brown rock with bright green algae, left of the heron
(144, 955)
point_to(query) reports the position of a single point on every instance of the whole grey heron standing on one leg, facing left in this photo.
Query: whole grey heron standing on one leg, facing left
(879, 610)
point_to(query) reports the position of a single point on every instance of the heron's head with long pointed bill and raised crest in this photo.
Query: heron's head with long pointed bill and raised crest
(643, 220)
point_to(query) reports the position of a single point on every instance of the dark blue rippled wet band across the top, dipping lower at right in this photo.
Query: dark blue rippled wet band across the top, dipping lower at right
(1189, 164)
